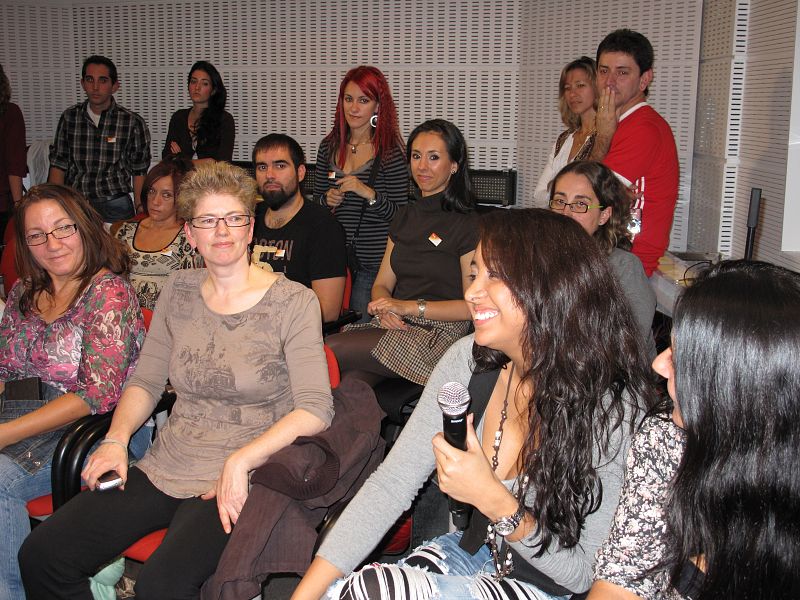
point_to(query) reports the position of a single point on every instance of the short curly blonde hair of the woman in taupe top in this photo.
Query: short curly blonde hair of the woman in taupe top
(216, 178)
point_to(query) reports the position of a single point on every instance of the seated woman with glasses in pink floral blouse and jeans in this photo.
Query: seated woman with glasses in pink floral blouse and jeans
(73, 322)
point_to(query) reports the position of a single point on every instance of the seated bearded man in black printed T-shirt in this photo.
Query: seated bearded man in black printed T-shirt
(302, 239)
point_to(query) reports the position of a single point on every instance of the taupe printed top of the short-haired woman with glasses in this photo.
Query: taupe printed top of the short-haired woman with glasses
(234, 376)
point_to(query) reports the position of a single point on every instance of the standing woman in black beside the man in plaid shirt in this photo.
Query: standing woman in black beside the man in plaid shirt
(206, 131)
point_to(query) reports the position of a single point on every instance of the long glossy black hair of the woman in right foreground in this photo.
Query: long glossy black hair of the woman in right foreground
(735, 500)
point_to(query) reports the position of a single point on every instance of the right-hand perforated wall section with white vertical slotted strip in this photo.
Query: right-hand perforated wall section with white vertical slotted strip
(743, 107)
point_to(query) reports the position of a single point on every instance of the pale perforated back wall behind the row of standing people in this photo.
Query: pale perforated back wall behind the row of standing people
(490, 67)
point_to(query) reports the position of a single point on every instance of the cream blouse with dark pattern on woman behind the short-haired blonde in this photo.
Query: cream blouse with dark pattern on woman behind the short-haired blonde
(149, 270)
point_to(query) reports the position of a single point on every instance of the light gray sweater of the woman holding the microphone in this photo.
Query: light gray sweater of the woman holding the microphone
(394, 485)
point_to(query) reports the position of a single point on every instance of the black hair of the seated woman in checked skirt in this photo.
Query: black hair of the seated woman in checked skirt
(458, 194)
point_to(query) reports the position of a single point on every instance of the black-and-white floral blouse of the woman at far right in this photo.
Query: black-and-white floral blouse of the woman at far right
(636, 541)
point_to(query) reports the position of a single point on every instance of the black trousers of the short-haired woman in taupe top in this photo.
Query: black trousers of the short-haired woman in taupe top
(93, 528)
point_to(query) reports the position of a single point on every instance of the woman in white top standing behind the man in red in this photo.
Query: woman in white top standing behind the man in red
(576, 103)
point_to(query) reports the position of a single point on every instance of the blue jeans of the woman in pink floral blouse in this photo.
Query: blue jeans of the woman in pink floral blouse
(17, 486)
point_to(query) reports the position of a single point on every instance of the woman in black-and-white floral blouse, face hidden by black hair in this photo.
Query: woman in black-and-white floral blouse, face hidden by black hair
(711, 499)
